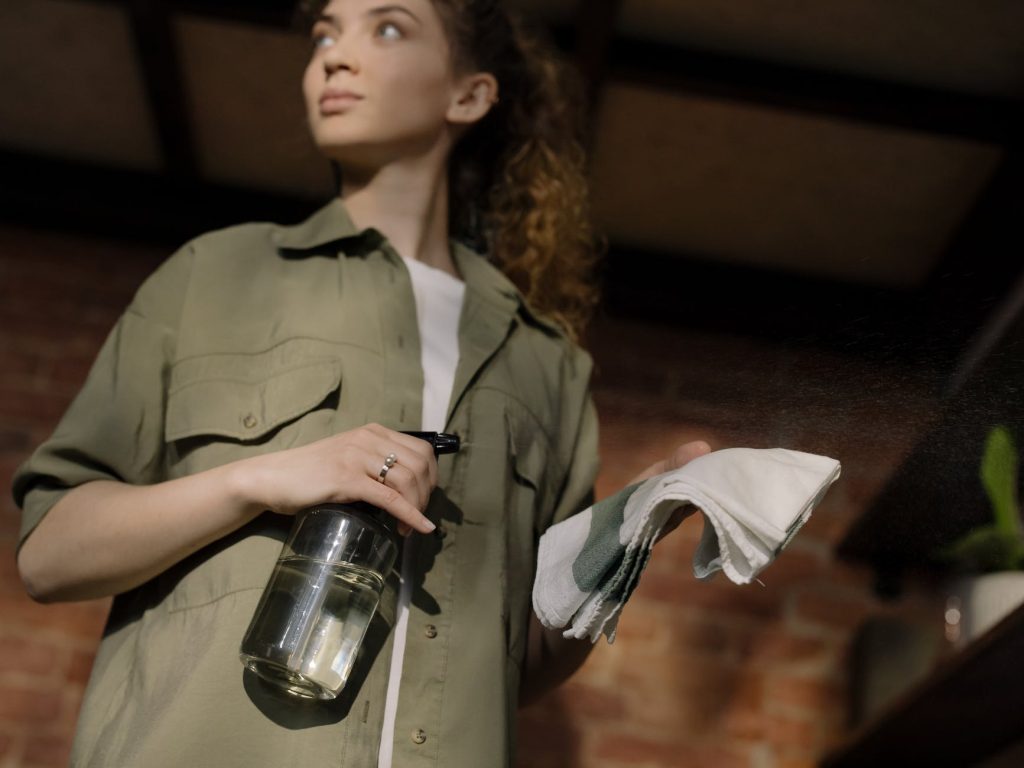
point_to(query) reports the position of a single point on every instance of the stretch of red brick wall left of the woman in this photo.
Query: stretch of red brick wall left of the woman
(59, 297)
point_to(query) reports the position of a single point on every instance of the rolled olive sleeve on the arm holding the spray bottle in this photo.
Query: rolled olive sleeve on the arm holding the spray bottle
(114, 429)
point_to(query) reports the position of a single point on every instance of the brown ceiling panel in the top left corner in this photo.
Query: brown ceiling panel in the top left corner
(71, 84)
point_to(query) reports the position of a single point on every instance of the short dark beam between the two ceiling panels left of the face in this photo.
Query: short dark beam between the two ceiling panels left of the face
(158, 56)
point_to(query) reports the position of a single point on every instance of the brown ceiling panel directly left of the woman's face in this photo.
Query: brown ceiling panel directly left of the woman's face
(244, 88)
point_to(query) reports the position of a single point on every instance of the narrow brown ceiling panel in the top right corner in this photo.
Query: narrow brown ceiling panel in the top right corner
(975, 47)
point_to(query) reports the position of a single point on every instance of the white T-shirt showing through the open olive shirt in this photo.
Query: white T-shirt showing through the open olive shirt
(439, 306)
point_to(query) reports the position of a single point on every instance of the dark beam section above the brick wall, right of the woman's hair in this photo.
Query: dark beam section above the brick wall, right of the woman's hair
(883, 324)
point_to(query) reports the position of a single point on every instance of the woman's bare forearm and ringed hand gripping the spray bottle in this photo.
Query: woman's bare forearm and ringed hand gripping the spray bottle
(105, 538)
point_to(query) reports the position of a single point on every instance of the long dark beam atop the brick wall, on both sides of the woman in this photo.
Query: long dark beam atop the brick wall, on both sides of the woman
(79, 199)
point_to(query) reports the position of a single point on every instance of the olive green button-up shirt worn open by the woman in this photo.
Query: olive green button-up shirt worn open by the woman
(260, 338)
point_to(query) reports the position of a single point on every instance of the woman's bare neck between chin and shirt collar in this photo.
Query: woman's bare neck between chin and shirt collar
(407, 201)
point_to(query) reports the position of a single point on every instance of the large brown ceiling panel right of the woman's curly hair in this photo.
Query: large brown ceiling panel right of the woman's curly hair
(776, 189)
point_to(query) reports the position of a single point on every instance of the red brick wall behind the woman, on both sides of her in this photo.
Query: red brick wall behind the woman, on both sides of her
(702, 674)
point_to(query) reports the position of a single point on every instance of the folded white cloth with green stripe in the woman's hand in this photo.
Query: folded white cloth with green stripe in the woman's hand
(754, 502)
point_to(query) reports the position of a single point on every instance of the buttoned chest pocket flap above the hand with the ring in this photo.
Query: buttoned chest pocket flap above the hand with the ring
(232, 403)
